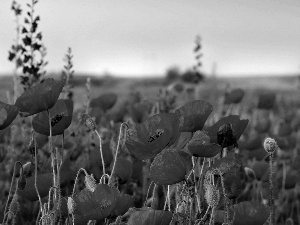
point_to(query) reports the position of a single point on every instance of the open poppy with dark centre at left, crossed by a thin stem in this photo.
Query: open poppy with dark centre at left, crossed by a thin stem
(61, 118)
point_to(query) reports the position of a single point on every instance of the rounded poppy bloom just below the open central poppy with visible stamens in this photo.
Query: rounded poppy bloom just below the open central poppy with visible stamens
(170, 167)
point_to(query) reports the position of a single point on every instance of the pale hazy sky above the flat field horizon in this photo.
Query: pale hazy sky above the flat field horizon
(145, 37)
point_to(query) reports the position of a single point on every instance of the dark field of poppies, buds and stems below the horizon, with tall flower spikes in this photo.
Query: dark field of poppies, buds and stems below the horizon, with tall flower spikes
(111, 151)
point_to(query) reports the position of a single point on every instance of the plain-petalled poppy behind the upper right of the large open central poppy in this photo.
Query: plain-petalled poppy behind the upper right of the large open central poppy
(193, 115)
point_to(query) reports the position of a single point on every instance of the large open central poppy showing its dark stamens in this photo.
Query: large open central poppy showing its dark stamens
(148, 139)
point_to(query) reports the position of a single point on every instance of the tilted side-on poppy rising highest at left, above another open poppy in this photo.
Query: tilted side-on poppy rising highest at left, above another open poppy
(40, 97)
